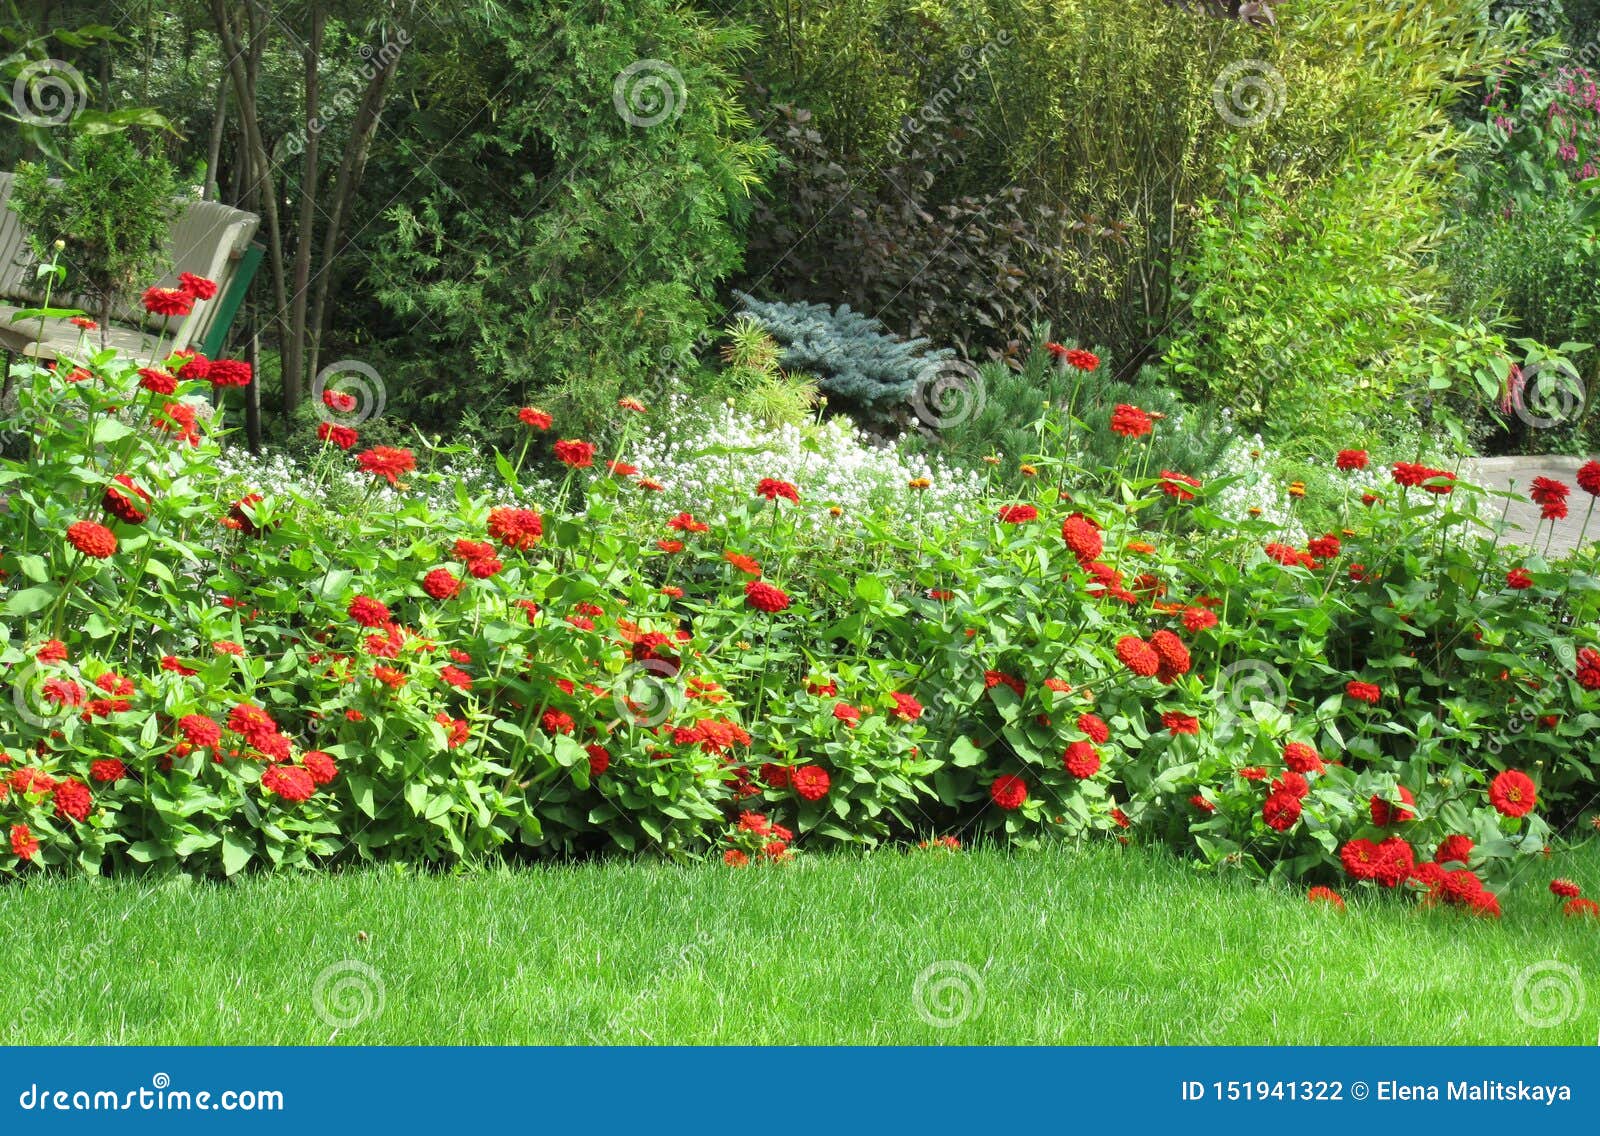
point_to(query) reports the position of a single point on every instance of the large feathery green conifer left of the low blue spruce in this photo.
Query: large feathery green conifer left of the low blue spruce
(574, 239)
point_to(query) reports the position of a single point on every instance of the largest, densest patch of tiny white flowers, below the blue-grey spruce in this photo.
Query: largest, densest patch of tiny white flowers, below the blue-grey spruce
(710, 462)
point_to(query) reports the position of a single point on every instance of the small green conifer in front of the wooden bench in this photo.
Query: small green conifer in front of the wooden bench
(111, 206)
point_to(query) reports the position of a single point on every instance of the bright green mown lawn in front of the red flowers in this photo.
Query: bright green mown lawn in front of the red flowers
(1110, 946)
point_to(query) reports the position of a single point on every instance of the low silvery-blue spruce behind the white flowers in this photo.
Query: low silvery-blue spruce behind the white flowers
(854, 359)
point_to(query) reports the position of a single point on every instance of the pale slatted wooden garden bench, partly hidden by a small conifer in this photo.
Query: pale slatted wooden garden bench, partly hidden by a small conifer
(207, 239)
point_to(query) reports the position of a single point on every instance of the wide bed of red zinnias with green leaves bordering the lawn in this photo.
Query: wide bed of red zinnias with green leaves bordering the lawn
(210, 682)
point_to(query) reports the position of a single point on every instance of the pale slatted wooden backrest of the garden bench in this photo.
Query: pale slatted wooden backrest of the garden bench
(206, 239)
